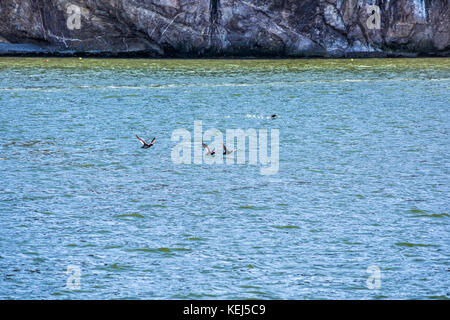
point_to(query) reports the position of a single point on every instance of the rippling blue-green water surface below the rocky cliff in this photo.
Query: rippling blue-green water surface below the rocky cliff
(363, 180)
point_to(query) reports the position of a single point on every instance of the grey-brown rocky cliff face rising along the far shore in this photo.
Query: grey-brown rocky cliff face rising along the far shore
(190, 28)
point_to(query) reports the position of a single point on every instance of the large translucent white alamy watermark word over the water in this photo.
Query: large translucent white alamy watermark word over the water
(217, 152)
